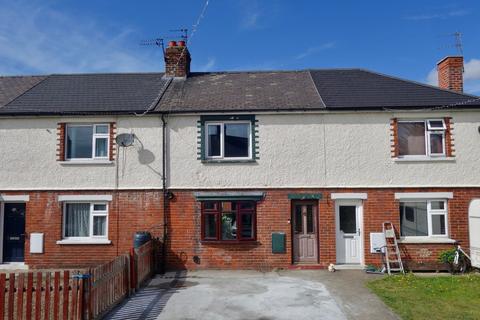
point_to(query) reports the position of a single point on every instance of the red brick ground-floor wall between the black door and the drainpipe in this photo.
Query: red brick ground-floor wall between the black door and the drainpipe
(138, 211)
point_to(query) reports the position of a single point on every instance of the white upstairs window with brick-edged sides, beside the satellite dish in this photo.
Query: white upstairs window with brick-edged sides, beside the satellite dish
(87, 141)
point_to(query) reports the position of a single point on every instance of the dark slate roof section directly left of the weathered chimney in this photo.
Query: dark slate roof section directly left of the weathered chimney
(89, 94)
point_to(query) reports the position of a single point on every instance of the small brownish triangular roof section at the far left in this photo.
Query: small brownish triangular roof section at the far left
(12, 87)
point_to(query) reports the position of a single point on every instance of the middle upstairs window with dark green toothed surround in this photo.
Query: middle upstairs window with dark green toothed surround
(227, 138)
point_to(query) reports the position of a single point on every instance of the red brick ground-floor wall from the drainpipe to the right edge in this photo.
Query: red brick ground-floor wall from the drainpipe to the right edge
(272, 216)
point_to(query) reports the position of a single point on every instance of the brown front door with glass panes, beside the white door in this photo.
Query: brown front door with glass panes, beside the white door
(305, 245)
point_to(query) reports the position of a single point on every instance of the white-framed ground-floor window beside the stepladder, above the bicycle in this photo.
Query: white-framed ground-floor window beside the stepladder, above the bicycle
(423, 218)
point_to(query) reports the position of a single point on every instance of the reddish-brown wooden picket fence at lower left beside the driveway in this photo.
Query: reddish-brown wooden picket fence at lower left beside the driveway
(74, 294)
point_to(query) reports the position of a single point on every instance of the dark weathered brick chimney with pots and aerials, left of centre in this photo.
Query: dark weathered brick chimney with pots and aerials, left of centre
(177, 60)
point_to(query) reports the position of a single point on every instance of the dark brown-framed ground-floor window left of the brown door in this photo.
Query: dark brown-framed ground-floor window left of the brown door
(228, 221)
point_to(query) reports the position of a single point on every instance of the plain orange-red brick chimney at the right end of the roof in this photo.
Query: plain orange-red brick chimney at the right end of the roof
(450, 73)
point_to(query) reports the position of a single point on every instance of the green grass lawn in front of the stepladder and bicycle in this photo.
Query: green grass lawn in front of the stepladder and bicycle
(439, 297)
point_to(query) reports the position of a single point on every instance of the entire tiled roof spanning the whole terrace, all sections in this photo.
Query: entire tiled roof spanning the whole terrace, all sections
(329, 89)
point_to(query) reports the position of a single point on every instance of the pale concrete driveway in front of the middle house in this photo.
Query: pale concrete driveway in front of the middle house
(252, 295)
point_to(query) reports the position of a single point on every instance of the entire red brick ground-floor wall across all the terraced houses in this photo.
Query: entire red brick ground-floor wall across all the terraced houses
(142, 210)
